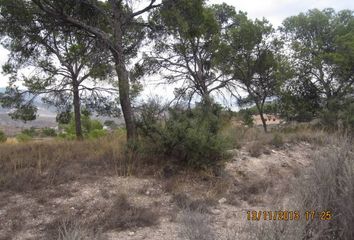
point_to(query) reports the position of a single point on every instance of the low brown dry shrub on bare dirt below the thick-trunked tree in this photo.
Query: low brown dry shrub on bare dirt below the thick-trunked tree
(124, 215)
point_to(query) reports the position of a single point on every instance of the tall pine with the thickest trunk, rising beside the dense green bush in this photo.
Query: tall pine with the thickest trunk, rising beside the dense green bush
(117, 25)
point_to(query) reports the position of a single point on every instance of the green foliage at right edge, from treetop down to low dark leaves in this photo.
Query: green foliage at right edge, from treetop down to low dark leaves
(322, 62)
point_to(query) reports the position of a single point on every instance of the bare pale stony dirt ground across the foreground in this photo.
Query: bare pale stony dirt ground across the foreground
(254, 184)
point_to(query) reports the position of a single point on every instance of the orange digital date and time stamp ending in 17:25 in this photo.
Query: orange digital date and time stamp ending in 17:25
(285, 215)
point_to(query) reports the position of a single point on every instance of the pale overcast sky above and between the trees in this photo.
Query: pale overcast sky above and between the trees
(273, 10)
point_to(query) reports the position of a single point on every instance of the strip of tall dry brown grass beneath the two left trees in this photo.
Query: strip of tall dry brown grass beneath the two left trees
(34, 165)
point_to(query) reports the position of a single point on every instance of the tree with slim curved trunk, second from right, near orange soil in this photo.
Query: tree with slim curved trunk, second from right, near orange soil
(253, 61)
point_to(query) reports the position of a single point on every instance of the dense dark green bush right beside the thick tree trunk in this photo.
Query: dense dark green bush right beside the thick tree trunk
(192, 136)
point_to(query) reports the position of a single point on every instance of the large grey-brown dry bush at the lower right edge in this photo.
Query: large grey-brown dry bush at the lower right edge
(329, 186)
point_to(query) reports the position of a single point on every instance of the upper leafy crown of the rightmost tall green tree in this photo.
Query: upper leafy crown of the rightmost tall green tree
(322, 53)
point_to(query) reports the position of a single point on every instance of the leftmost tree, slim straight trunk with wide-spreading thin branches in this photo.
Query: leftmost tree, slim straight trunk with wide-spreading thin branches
(68, 65)
